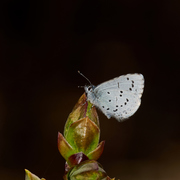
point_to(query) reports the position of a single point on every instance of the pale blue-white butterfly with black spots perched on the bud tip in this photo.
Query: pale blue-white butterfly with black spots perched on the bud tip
(119, 98)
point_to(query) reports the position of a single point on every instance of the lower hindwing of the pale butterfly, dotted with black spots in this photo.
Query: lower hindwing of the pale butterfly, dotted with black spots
(118, 105)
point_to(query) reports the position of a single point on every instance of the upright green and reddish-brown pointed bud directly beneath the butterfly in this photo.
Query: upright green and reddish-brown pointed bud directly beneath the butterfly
(82, 133)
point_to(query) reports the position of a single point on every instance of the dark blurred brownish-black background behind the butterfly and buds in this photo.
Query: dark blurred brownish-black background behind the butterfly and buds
(43, 43)
